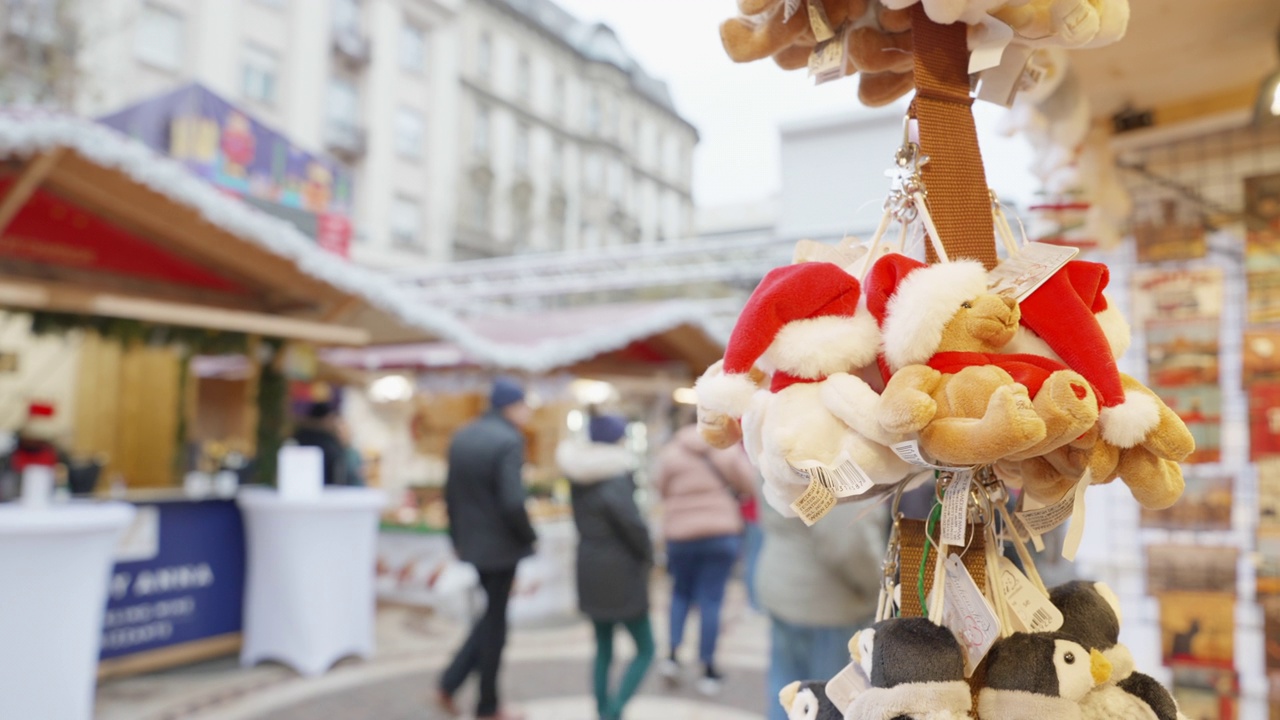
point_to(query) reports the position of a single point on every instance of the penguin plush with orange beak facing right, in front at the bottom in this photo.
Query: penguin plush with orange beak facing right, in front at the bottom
(1040, 677)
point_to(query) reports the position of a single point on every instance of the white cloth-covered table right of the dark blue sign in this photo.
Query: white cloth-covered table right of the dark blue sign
(309, 593)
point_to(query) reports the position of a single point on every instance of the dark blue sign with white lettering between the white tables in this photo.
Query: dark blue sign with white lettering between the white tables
(180, 577)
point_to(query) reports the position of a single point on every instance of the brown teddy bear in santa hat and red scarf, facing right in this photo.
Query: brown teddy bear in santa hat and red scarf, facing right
(944, 335)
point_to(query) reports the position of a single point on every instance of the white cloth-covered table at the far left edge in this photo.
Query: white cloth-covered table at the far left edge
(54, 569)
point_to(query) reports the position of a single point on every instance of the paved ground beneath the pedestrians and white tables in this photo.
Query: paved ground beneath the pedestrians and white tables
(547, 673)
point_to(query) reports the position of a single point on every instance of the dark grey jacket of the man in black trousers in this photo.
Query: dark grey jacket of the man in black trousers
(486, 496)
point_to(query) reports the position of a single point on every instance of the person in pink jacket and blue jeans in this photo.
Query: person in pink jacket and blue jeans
(703, 525)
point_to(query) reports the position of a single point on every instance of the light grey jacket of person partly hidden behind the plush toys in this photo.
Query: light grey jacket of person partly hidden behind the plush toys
(825, 576)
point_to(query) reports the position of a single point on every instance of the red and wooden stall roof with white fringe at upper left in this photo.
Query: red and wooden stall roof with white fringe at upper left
(95, 224)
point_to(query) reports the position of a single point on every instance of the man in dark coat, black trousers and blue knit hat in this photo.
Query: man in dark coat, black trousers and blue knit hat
(486, 499)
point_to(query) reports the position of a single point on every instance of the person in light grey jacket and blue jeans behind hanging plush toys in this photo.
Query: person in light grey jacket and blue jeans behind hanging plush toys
(820, 586)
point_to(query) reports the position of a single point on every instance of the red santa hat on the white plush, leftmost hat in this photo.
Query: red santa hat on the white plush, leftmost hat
(802, 321)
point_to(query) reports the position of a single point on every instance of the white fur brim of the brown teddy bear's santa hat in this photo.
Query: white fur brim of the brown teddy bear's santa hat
(924, 304)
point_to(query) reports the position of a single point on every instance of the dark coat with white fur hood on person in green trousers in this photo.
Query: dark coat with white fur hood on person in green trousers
(615, 554)
